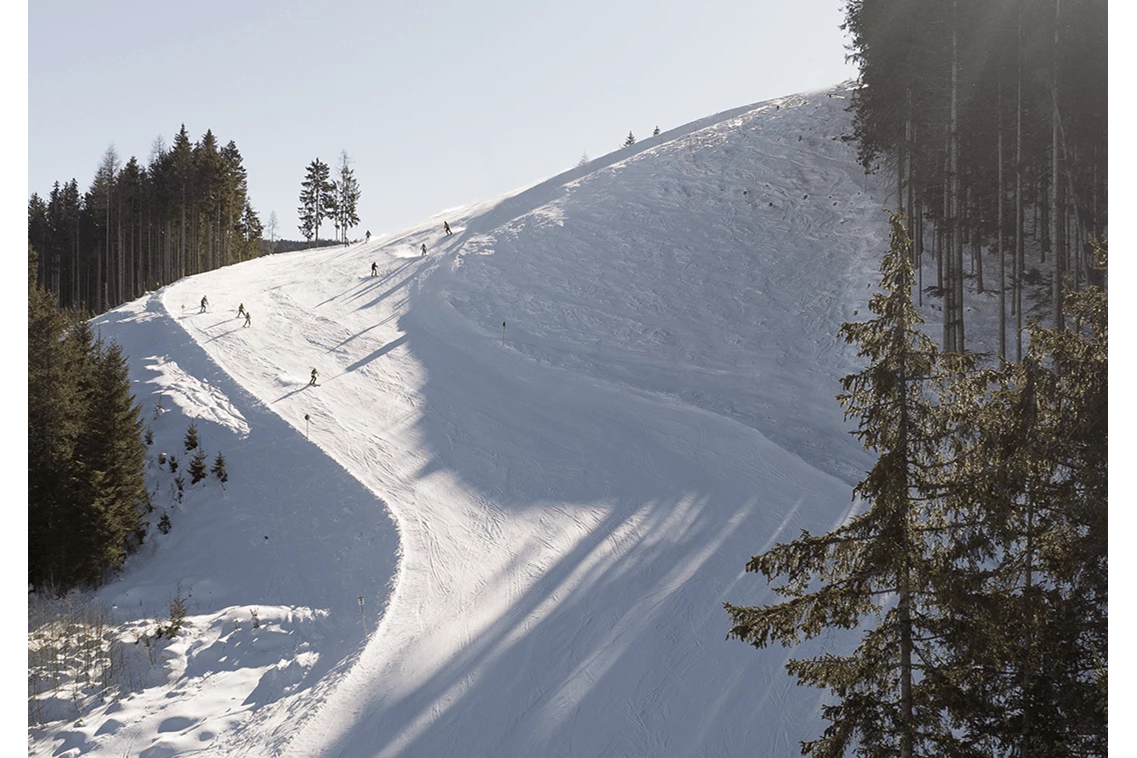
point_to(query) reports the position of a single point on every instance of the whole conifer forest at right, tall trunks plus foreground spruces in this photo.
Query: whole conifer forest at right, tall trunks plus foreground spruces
(976, 576)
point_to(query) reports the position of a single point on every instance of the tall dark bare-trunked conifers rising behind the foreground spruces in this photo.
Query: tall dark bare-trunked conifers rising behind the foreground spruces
(994, 118)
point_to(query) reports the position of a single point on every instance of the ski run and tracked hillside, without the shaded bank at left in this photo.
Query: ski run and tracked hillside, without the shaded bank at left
(575, 505)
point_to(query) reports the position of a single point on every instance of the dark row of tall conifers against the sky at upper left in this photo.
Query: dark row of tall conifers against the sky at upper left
(139, 228)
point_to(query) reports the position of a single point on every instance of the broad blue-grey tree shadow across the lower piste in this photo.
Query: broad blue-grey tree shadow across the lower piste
(624, 632)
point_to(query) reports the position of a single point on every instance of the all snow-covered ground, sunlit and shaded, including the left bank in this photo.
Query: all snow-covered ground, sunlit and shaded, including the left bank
(536, 465)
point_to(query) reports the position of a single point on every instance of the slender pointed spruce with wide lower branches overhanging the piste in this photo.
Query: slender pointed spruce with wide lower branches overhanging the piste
(881, 564)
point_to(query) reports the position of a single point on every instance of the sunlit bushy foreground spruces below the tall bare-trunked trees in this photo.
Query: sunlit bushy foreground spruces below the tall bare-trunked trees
(977, 576)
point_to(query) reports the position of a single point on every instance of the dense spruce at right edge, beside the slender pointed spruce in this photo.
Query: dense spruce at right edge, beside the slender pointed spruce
(1032, 485)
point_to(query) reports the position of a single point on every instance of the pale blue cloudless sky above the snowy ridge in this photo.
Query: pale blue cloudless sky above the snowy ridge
(438, 104)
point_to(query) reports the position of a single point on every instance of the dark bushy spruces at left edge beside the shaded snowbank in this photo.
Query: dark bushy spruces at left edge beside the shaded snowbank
(87, 495)
